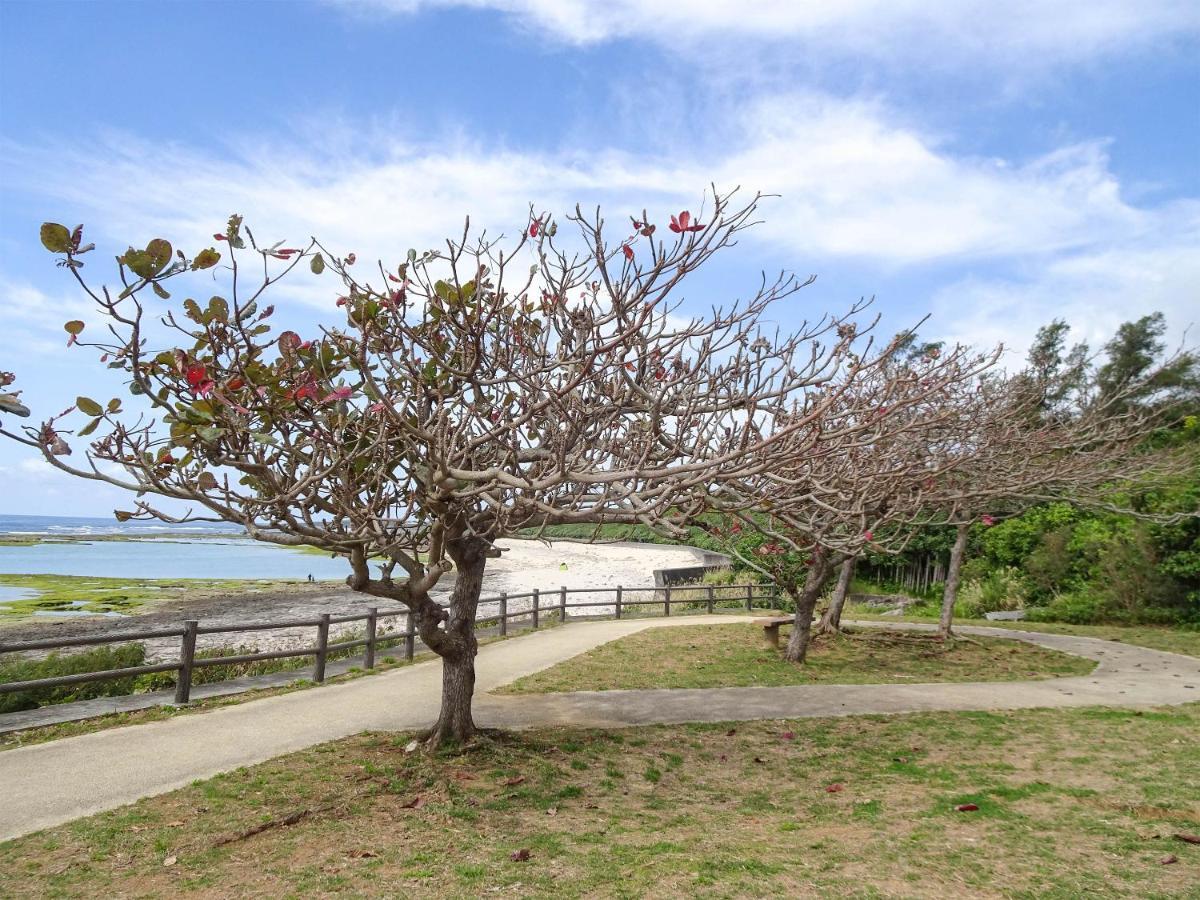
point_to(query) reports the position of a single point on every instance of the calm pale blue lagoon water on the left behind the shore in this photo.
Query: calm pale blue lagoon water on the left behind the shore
(169, 559)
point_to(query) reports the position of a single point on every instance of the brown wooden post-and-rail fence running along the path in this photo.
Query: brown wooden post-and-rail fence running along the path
(556, 603)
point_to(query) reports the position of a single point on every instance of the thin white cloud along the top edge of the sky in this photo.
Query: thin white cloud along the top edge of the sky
(1033, 33)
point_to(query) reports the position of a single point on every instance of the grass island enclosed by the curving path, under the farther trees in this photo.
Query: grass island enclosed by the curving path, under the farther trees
(734, 657)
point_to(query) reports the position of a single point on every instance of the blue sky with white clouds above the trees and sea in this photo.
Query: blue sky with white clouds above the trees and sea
(993, 165)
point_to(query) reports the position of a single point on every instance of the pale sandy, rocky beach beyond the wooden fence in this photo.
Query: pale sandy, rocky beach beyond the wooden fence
(524, 567)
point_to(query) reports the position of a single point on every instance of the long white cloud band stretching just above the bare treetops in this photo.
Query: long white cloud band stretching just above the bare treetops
(855, 183)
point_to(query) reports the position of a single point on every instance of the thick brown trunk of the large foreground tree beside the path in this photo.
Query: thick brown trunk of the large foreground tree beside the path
(458, 646)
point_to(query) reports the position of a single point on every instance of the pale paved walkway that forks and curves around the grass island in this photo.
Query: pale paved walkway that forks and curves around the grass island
(50, 784)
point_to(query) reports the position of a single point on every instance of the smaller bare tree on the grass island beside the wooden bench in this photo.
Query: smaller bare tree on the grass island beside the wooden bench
(859, 478)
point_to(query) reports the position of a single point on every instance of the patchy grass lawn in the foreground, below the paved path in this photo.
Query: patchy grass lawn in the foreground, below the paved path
(1071, 803)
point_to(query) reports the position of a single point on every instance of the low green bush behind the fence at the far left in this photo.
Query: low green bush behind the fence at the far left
(56, 665)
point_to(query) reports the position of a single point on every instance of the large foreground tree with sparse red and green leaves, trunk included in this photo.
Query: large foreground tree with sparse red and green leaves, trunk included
(467, 394)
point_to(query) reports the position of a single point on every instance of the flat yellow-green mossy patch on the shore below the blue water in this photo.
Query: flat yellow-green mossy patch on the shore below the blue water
(61, 593)
